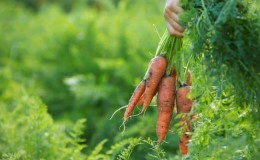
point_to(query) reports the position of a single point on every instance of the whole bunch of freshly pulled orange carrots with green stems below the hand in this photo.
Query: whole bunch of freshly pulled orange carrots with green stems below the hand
(161, 80)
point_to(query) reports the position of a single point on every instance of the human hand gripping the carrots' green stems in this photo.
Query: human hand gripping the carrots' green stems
(171, 11)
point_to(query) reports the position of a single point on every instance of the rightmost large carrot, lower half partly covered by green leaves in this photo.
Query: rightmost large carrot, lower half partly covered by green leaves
(184, 105)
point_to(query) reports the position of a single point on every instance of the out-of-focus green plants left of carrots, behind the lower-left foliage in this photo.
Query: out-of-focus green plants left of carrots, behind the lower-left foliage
(79, 63)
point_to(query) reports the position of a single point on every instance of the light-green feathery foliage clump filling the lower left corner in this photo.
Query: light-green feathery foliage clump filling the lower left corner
(27, 130)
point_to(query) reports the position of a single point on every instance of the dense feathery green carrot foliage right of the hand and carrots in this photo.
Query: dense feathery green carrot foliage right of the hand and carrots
(222, 49)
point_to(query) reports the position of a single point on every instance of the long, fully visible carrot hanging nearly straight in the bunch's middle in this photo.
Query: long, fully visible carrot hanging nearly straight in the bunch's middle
(165, 105)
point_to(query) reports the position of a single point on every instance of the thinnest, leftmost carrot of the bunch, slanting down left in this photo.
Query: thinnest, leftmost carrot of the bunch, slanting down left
(139, 90)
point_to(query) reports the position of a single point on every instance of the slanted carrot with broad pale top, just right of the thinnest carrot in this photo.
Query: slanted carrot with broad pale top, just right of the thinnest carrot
(156, 71)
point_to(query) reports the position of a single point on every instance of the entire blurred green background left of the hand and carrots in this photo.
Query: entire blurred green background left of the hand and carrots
(66, 61)
